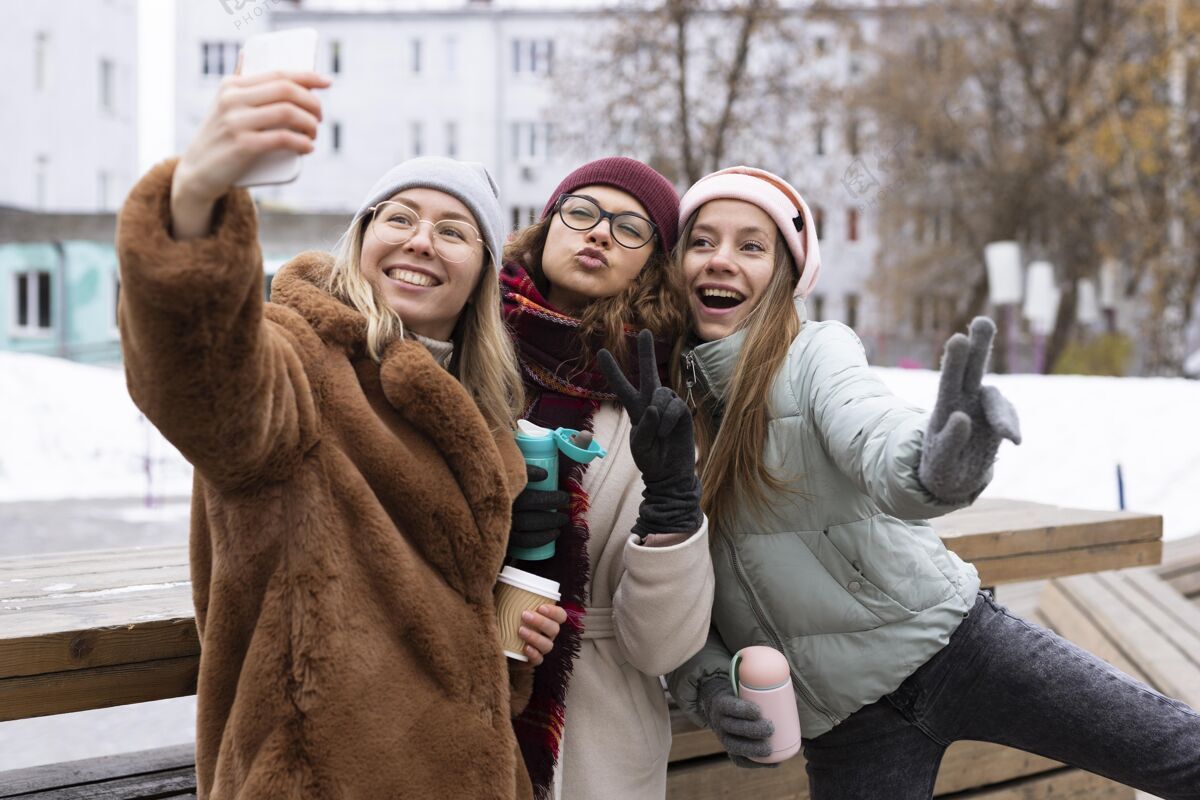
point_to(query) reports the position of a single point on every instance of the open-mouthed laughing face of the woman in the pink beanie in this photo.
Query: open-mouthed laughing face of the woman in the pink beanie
(728, 263)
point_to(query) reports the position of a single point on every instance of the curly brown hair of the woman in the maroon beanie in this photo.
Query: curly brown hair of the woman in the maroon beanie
(653, 300)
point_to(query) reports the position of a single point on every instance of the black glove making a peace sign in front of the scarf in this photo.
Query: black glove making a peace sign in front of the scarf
(662, 444)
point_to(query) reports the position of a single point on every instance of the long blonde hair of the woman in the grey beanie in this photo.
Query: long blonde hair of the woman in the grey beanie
(483, 362)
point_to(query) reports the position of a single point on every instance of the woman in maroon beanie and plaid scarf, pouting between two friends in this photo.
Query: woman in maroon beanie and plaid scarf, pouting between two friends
(633, 560)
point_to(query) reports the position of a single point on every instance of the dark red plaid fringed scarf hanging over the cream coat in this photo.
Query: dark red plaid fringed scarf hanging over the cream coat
(562, 393)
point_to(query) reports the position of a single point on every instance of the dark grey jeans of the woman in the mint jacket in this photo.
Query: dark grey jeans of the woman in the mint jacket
(1009, 682)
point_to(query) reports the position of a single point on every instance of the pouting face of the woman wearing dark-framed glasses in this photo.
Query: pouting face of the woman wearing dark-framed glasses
(586, 266)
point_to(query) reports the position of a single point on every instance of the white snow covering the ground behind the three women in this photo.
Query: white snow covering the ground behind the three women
(70, 431)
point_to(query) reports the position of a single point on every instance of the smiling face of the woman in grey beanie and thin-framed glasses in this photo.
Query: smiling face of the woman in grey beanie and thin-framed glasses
(424, 288)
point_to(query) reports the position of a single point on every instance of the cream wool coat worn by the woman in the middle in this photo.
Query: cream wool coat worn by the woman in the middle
(649, 612)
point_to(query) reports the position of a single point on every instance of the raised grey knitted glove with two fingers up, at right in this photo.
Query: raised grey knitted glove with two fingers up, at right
(969, 422)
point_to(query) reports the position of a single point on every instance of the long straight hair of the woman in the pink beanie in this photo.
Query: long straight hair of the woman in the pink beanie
(731, 456)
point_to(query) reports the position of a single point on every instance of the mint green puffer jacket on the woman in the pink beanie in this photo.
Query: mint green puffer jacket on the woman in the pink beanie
(844, 576)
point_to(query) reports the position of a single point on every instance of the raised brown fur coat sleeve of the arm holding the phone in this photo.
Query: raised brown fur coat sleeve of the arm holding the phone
(223, 386)
